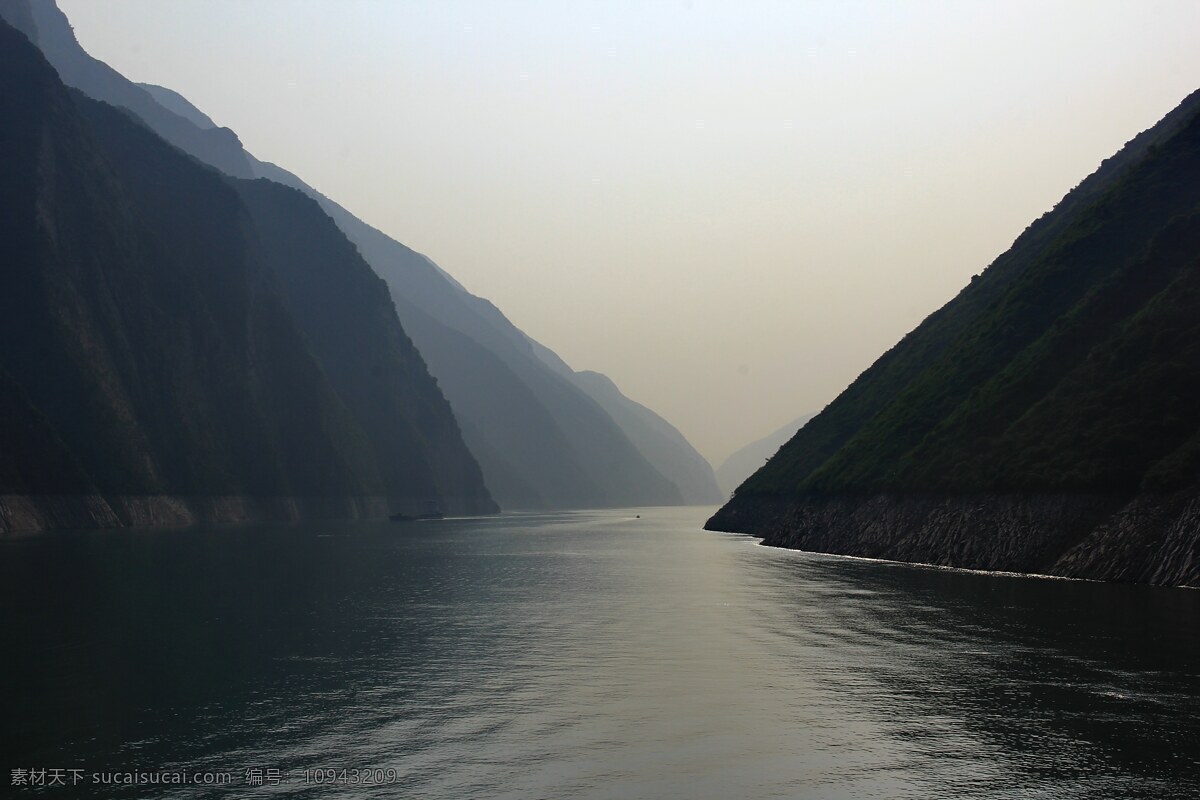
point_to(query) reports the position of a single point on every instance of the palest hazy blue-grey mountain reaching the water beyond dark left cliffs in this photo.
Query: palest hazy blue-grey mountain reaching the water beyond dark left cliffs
(542, 441)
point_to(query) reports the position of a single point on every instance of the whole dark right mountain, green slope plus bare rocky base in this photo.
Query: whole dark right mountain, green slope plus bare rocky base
(1047, 419)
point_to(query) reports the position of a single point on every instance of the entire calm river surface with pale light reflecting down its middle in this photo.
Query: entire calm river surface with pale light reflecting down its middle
(581, 655)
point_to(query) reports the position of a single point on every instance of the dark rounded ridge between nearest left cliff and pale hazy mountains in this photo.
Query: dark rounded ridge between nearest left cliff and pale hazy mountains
(350, 321)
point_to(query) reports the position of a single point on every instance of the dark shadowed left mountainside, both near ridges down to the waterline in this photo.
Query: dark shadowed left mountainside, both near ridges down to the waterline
(153, 370)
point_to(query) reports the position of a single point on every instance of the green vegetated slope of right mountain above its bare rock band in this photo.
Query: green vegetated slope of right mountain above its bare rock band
(1070, 365)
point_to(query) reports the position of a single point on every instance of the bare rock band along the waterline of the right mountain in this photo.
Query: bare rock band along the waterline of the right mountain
(1153, 539)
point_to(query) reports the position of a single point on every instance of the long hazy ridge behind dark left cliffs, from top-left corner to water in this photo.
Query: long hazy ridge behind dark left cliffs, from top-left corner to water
(541, 438)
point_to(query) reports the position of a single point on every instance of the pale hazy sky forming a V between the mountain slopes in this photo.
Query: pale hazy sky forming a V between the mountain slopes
(731, 209)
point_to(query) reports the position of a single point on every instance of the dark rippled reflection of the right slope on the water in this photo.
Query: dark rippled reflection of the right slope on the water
(1090, 689)
